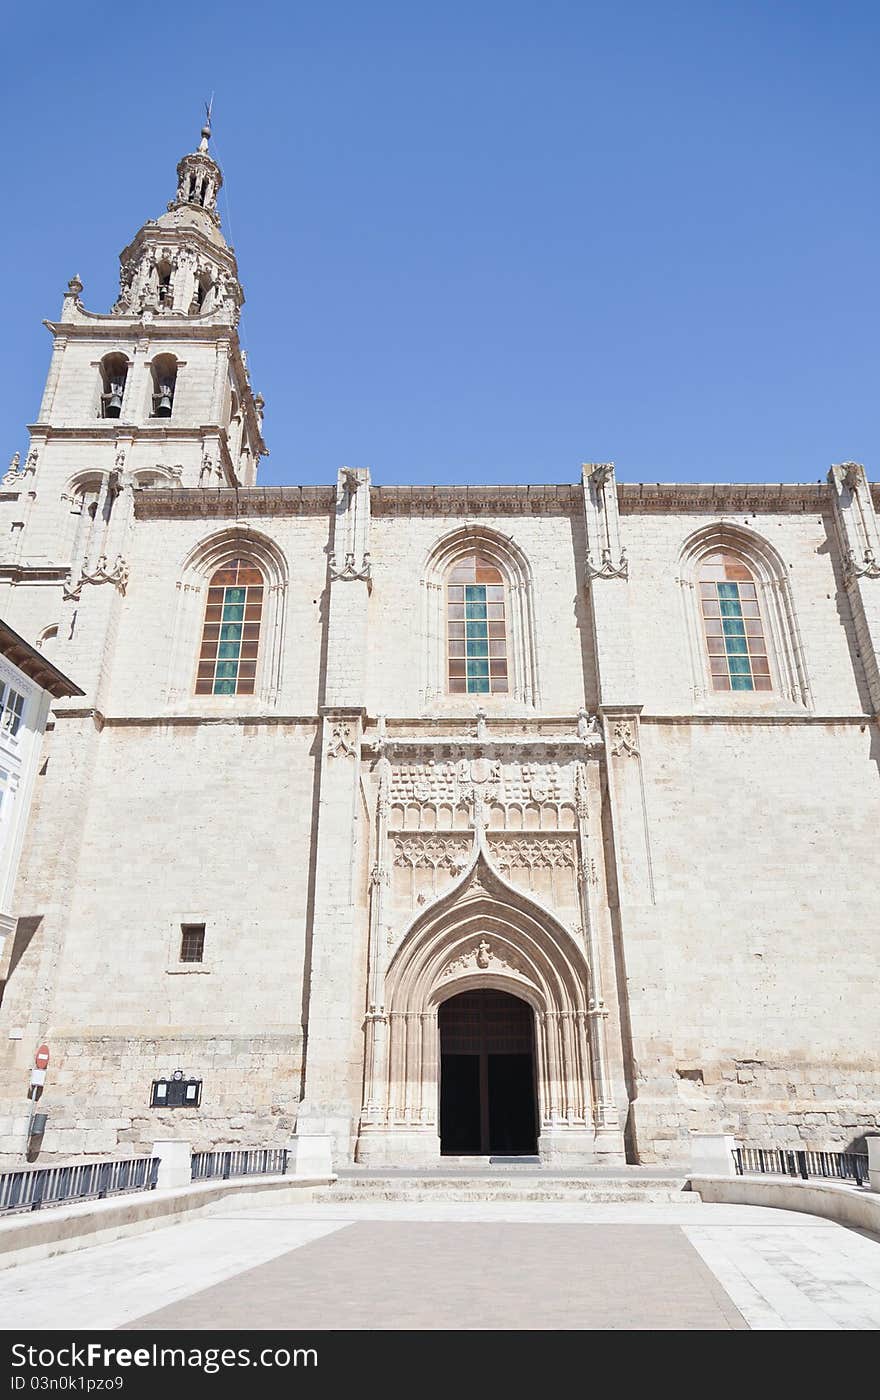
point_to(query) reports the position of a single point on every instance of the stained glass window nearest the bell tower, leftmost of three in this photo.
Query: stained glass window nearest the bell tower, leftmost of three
(232, 636)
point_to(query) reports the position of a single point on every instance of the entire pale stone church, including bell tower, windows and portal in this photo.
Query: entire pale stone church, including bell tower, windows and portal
(443, 820)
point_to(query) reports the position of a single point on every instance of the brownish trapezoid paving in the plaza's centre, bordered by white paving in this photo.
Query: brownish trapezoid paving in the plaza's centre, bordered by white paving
(469, 1276)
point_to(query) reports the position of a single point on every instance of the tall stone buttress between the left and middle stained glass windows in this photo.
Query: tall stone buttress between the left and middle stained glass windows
(339, 934)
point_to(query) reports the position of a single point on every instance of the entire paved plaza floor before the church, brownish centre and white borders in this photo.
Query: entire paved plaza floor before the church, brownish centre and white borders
(464, 1266)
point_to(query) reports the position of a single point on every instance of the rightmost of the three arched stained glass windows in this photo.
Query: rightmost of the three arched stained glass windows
(732, 625)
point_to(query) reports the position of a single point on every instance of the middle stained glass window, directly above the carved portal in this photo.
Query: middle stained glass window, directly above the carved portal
(476, 629)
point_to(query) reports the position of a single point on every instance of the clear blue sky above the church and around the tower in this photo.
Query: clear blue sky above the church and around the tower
(483, 241)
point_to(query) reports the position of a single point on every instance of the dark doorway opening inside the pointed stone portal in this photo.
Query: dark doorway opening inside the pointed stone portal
(488, 1074)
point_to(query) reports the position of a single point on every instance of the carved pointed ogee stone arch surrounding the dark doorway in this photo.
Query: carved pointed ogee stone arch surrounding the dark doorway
(482, 934)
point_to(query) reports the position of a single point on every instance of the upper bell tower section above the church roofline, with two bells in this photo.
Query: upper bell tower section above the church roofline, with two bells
(162, 379)
